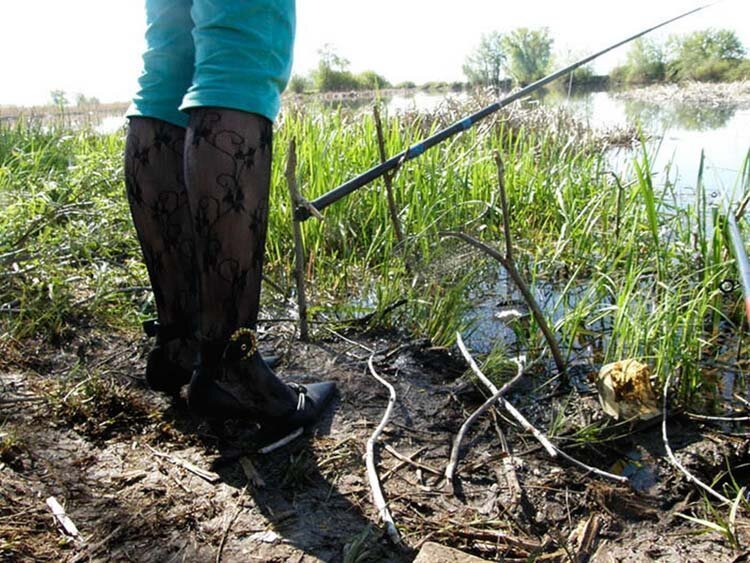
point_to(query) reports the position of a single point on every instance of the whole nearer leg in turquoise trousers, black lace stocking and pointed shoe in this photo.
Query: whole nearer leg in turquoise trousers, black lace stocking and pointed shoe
(242, 63)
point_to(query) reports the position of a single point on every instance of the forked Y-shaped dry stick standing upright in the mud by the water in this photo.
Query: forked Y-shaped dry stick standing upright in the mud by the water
(509, 264)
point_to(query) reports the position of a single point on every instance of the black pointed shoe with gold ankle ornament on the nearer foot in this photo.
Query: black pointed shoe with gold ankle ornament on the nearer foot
(232, 381)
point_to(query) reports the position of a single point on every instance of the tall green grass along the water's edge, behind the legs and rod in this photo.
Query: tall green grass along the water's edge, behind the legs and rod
(635, 270)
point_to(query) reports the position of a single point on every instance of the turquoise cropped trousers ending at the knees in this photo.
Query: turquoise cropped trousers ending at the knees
(224, 53)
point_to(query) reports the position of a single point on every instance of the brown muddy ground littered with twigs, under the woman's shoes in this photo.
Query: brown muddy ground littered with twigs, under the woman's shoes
(77, 423)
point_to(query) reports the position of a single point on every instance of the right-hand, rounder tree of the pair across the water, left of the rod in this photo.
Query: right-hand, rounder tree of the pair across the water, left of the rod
(529, 53)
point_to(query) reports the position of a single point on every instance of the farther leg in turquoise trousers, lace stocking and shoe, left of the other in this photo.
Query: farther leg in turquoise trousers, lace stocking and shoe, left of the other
(156, 189)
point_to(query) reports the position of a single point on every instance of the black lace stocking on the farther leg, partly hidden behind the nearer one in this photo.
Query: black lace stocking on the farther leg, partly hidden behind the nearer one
(159, 206)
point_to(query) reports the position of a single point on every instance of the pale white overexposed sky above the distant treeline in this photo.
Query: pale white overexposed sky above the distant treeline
(94, 46)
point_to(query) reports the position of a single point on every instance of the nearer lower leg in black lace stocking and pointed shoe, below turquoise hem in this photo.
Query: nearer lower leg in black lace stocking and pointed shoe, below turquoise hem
(228, 173)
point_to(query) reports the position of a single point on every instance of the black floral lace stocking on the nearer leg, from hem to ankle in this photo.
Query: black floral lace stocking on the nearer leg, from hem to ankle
(227, 169)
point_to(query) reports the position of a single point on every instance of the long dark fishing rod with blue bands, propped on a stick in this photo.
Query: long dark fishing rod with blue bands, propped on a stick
(302, 212)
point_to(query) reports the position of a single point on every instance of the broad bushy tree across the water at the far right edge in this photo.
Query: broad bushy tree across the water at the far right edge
(705, 55)
